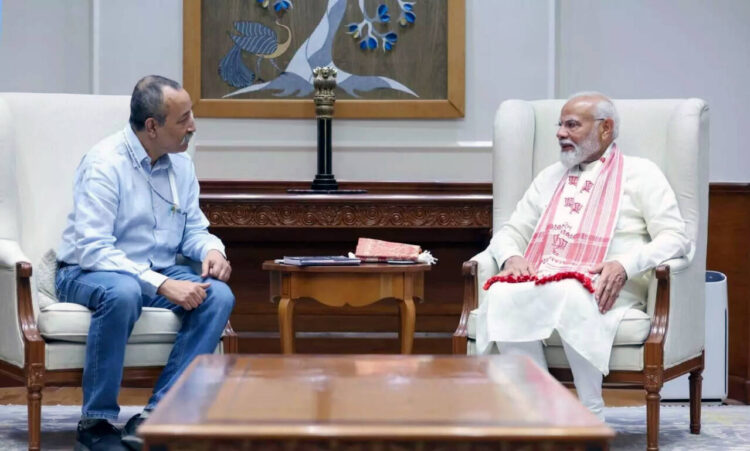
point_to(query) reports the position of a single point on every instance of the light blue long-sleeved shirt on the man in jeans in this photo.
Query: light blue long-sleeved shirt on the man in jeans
(128, 216)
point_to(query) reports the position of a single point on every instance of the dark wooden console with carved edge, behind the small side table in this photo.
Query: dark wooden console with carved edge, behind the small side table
(260, 221)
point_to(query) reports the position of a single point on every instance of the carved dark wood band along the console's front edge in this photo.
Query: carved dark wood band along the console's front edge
(289, 214)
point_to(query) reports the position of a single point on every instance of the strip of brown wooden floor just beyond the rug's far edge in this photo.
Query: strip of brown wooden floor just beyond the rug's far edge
(139, 396)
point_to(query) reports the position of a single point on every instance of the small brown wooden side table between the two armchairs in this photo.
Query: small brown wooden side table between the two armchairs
(336, 286)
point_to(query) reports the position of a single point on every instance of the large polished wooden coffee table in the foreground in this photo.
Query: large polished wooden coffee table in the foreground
(363, 402)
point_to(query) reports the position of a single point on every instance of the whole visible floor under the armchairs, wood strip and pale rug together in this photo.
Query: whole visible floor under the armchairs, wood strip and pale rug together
(723, 427)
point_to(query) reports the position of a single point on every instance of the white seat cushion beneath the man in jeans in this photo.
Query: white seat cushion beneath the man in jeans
(67, 321)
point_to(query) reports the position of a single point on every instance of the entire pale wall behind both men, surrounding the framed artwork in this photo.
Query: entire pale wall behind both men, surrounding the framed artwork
(515, 49)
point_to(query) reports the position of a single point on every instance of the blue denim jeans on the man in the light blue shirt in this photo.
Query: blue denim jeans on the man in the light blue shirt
(115, 300)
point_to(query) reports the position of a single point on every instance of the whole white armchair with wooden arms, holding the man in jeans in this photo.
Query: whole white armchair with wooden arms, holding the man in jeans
(42, 341)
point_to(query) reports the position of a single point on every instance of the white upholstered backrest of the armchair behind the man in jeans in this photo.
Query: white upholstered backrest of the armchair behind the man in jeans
(47, 135)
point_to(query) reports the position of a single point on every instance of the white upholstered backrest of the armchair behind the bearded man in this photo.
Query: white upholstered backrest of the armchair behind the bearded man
(673, 133)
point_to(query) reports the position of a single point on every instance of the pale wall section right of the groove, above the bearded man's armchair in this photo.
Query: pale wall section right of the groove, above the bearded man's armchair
(674, 48)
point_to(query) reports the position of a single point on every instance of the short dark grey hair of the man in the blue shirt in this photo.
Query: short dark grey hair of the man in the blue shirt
(148, 100)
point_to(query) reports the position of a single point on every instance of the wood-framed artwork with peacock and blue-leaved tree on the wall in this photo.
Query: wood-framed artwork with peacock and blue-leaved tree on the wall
(394, 58)
